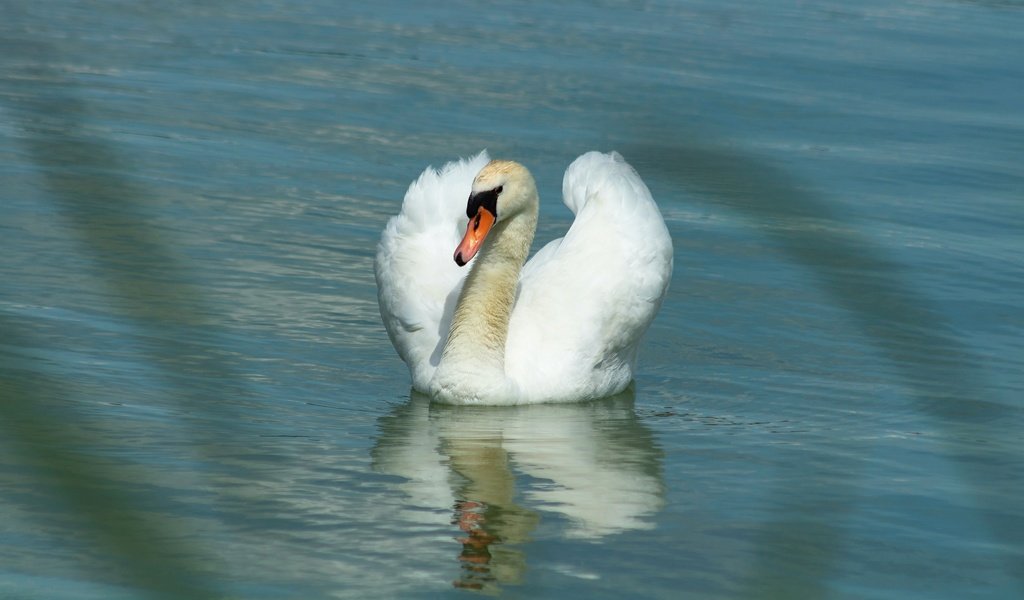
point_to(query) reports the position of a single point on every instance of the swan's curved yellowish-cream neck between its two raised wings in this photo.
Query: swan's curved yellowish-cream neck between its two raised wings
(474, 363)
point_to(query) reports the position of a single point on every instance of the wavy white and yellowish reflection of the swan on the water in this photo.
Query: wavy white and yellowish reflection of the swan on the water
(496, 473)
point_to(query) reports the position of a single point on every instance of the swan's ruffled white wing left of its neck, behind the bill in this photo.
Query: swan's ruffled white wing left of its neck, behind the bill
(418, 281)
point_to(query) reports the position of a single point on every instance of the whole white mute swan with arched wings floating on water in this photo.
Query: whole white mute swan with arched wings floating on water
(566, 327)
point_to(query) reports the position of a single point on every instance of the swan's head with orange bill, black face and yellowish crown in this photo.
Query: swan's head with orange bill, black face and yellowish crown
(501, 191)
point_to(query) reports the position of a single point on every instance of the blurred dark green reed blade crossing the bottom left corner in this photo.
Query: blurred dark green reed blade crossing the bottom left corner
(61, 461)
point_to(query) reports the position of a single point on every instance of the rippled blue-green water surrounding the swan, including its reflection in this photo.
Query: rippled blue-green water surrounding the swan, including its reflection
(199, 400)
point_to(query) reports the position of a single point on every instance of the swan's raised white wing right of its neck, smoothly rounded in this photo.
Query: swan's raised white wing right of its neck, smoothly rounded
(585, 301)
